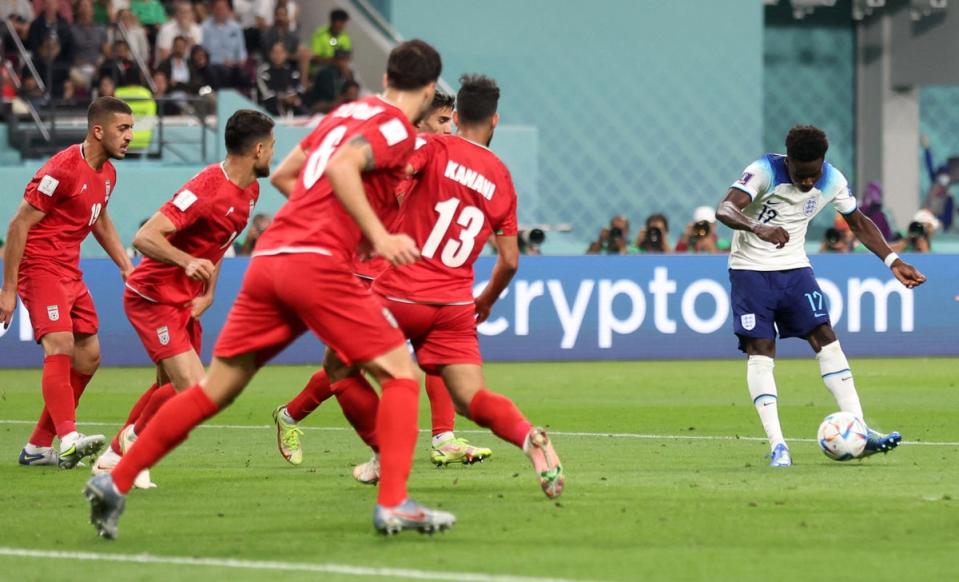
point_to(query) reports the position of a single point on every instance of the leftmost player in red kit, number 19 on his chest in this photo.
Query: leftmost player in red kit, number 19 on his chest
(66, 201)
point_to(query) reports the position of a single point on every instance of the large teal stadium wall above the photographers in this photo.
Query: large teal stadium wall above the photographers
(641, 107)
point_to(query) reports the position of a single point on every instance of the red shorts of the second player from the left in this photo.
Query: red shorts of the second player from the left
(165, 330)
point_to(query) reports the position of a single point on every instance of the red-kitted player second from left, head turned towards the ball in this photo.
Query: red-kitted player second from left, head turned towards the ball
(182, 245)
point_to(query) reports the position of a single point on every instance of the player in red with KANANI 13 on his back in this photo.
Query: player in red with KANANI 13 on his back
(463, 194)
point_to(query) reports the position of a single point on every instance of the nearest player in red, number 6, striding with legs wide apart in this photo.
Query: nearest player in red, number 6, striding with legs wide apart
(300, 278)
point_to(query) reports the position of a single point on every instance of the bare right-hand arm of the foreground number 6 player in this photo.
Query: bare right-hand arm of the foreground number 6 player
(344, 171)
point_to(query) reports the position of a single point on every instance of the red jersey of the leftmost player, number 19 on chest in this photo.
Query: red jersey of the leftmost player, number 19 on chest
(72, 195)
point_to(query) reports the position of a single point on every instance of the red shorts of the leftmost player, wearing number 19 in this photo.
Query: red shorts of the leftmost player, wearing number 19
(56, 303)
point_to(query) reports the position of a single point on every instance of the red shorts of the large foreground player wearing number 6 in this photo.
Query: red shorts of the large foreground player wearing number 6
(284, 295)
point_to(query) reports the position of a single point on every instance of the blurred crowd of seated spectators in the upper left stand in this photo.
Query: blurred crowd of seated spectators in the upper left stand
(79, 49)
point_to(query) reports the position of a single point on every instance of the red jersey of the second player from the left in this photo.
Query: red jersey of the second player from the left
(209, 212)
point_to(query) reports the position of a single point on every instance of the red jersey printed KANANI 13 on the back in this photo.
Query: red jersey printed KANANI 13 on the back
(463, 194)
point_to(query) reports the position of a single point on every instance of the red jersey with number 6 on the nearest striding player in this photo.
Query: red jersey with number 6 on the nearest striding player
(313, 220)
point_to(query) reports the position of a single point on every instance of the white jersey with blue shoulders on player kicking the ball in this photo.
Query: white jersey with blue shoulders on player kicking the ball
(777, 202)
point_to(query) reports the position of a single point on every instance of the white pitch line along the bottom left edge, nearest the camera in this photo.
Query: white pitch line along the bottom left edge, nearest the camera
(270, 565)
